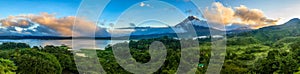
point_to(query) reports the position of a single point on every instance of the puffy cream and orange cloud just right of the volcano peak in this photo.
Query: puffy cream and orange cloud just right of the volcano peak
(220, 14)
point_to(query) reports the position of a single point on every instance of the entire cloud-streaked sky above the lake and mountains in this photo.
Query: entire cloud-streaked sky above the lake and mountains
(56, 15)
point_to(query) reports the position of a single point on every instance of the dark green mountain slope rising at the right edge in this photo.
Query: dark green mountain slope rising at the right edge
(274, 33)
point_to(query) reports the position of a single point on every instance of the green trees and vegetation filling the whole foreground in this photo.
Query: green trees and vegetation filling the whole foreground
(244, 55)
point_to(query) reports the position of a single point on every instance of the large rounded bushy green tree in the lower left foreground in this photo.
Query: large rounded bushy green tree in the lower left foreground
(35, 62)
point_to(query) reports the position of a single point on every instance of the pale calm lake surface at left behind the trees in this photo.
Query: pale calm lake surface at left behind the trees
(77, 44)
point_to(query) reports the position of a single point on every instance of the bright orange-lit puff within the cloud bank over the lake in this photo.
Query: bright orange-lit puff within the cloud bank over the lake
(64, 25)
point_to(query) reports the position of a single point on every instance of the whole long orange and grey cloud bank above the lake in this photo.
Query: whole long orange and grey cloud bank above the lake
(63, 26)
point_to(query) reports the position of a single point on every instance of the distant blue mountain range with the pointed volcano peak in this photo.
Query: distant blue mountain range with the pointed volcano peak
(189, 24)
